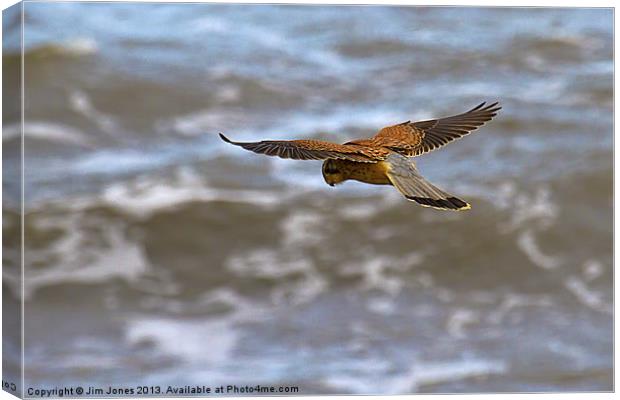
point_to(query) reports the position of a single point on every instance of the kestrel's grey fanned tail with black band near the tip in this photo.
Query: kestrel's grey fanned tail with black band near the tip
(406, 178)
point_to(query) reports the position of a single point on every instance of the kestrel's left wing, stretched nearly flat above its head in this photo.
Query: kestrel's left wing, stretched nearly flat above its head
(313, 150)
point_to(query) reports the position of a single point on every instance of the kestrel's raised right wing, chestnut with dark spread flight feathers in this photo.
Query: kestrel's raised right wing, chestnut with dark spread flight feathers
(415, 138)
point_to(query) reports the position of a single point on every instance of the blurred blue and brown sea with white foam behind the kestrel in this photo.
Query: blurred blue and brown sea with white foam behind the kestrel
(157, 254)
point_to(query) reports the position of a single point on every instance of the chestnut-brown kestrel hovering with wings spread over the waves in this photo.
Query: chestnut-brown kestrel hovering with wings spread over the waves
(387, 157)
